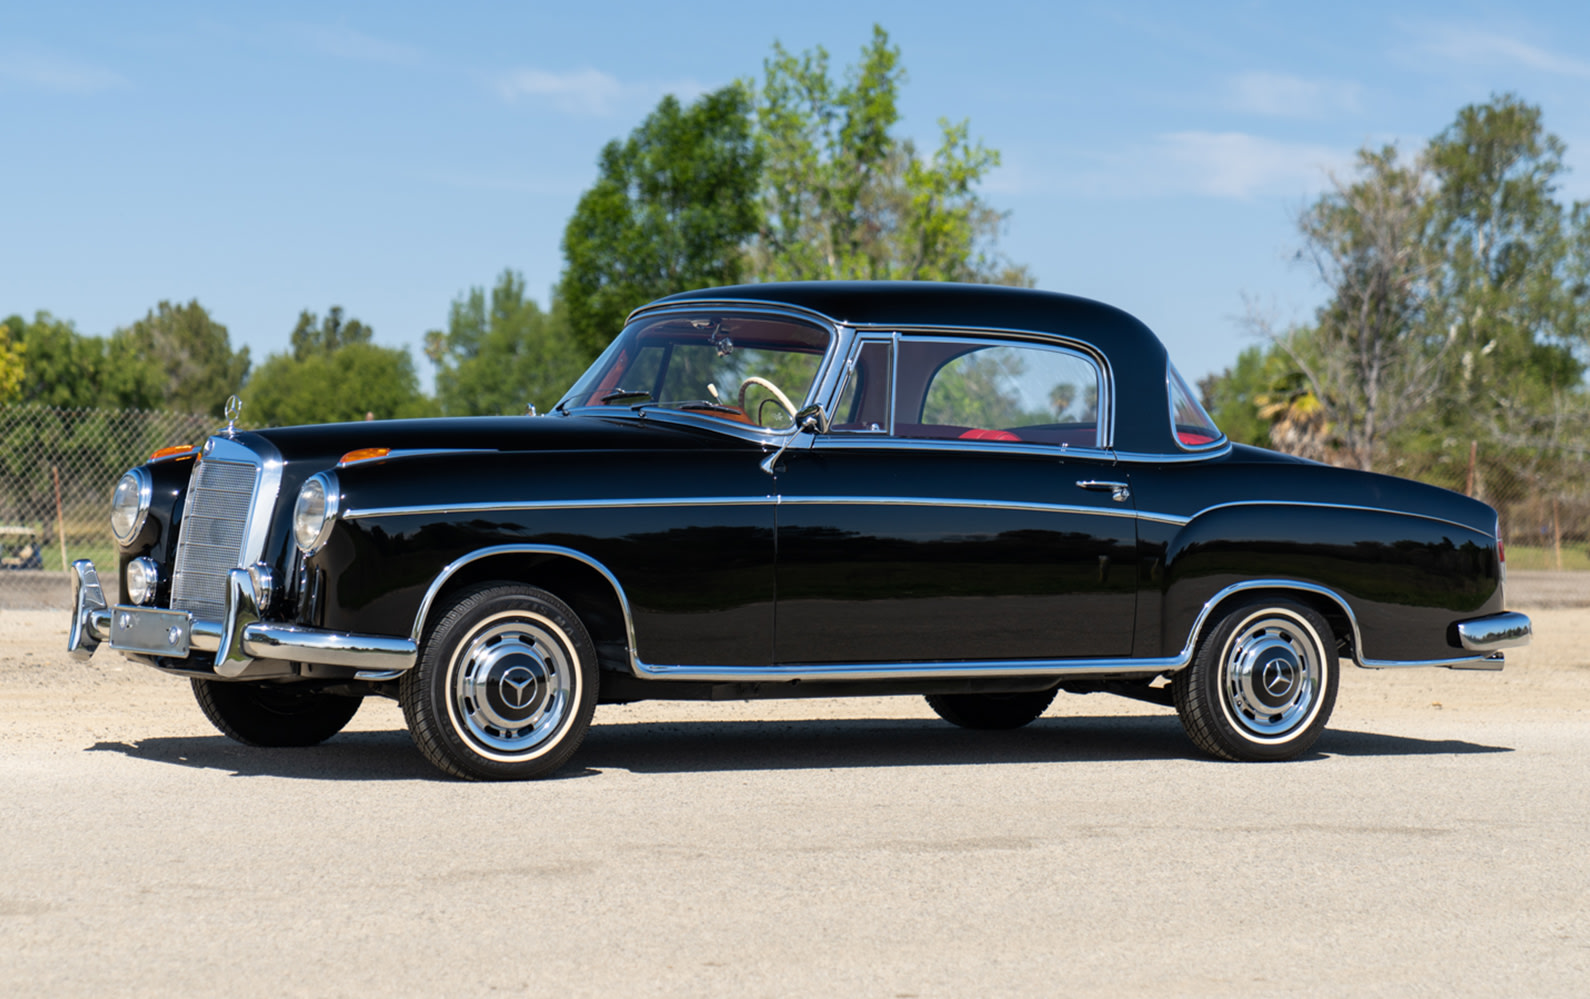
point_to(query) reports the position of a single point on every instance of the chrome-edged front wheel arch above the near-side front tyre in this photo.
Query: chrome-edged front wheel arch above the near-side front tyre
(586, 585)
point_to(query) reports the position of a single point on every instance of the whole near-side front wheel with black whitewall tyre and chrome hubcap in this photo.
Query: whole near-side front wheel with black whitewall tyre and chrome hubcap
(505, 688)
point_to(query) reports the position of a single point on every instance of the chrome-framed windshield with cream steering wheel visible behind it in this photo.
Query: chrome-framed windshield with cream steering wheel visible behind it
(740, 368)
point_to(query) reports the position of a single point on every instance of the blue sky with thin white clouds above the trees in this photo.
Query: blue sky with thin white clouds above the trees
(389, 157)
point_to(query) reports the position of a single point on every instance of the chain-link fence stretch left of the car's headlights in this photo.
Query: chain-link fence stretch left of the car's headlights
(58, 468)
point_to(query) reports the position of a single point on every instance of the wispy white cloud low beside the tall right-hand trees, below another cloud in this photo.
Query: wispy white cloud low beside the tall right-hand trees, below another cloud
(1238, 165)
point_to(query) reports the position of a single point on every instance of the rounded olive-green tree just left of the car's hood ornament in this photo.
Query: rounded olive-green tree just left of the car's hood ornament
(192, 354)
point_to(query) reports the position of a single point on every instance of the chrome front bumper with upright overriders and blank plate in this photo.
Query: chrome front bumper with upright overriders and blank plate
(244, 647)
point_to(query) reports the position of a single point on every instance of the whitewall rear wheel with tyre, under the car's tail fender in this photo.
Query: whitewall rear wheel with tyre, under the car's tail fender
(1262, 685)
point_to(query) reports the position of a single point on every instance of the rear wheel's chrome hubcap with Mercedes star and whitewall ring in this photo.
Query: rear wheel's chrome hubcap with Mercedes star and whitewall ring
(1273, 675)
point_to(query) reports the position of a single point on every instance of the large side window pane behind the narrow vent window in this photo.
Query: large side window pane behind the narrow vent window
(996, 392)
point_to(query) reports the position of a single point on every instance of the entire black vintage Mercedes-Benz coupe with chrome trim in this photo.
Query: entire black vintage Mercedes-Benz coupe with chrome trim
(982, 496)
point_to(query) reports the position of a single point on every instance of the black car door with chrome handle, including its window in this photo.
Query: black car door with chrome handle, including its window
(960, 510)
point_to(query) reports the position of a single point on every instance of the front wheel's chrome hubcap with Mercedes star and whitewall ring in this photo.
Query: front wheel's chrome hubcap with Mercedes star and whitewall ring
(514, 685)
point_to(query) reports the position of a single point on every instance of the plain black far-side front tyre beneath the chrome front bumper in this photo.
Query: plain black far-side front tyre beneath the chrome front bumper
(274, 715)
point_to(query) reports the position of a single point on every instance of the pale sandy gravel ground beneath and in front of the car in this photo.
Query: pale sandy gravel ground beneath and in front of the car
(1435, 844)
